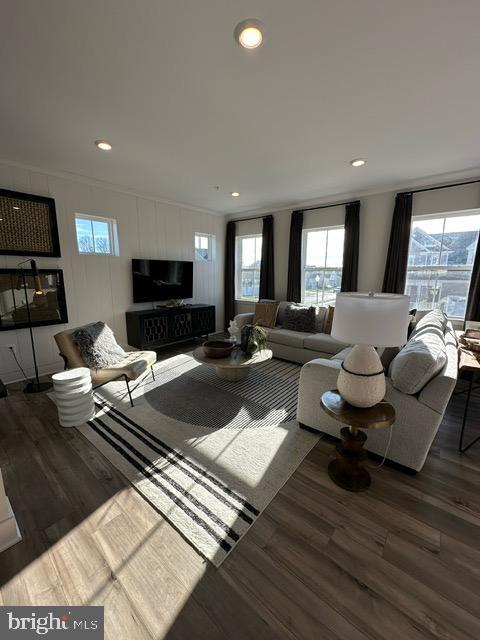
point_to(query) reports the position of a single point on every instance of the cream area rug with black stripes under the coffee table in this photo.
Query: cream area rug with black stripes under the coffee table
(208, 454)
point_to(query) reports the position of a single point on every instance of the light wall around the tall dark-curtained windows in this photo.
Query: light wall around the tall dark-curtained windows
(375, 220)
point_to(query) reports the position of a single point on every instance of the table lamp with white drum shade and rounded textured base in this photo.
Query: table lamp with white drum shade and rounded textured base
(367, 320)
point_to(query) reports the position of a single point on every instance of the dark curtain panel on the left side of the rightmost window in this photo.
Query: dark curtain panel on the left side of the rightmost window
(397, 257)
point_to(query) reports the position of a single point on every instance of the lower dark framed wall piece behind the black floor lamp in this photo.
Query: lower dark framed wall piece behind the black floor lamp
(46, 308)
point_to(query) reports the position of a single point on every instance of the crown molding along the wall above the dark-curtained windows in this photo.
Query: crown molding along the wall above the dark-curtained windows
(425, 182)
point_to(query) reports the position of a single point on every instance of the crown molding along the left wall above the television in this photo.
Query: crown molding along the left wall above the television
(67, 175)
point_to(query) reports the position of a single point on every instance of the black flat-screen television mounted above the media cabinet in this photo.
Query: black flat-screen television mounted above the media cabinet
(157, 280)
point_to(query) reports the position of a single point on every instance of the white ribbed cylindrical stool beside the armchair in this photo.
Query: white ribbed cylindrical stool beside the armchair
(74, 396)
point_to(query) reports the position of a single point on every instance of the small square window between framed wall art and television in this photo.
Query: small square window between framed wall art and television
(96, 235)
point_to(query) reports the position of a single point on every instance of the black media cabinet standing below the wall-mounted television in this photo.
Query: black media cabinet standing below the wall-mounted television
(153, 328)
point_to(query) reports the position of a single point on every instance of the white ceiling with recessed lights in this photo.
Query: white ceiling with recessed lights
(395, 81)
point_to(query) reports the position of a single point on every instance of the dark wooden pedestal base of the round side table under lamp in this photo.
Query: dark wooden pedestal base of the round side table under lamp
(347, 471)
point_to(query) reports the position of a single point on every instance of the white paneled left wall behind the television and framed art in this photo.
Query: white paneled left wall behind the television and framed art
(100, 287)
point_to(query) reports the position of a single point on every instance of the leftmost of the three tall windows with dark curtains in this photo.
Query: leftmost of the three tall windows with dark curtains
(248, 259)
